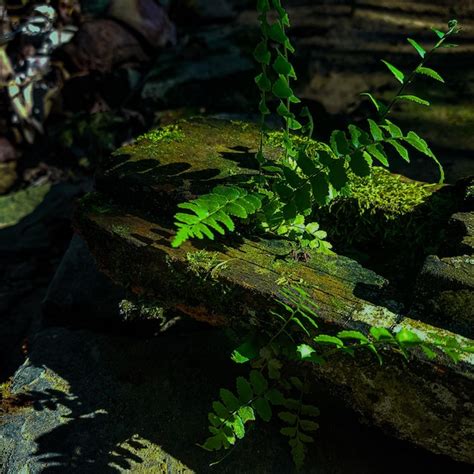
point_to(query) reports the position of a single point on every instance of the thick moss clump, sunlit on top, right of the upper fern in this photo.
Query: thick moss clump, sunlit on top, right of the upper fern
(387, 209)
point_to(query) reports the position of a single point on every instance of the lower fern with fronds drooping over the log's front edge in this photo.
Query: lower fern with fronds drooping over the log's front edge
(272, 386)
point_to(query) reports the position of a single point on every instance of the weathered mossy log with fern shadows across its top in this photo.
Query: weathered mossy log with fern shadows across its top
(128, 228)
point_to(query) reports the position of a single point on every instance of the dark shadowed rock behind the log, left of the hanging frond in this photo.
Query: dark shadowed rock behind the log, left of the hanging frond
(182, 78)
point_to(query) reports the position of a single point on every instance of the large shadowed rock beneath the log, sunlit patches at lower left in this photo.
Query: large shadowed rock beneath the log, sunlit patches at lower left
(92, 403)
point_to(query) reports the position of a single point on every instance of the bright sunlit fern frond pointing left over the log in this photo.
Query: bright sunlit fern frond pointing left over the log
(212, 213)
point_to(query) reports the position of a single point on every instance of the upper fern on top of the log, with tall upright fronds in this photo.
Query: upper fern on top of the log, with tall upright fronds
(282, 197)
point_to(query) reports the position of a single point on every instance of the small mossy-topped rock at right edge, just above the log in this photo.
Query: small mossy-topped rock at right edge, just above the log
(444, 294)
